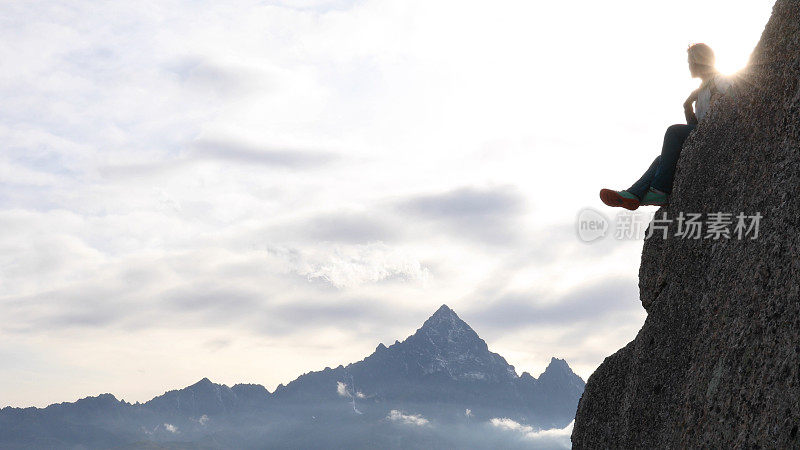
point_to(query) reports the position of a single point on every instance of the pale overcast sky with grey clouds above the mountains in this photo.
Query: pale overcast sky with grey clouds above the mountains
(253, 191)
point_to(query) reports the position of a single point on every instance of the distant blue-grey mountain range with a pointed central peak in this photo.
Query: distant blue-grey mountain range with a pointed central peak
(441, 387)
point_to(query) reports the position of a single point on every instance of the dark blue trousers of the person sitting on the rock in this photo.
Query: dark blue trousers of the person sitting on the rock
(662, 172)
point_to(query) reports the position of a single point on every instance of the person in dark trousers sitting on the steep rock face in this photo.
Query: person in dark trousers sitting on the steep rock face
(654, 187)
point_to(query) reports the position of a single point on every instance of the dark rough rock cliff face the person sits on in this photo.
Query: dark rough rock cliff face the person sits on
(717, 362)
